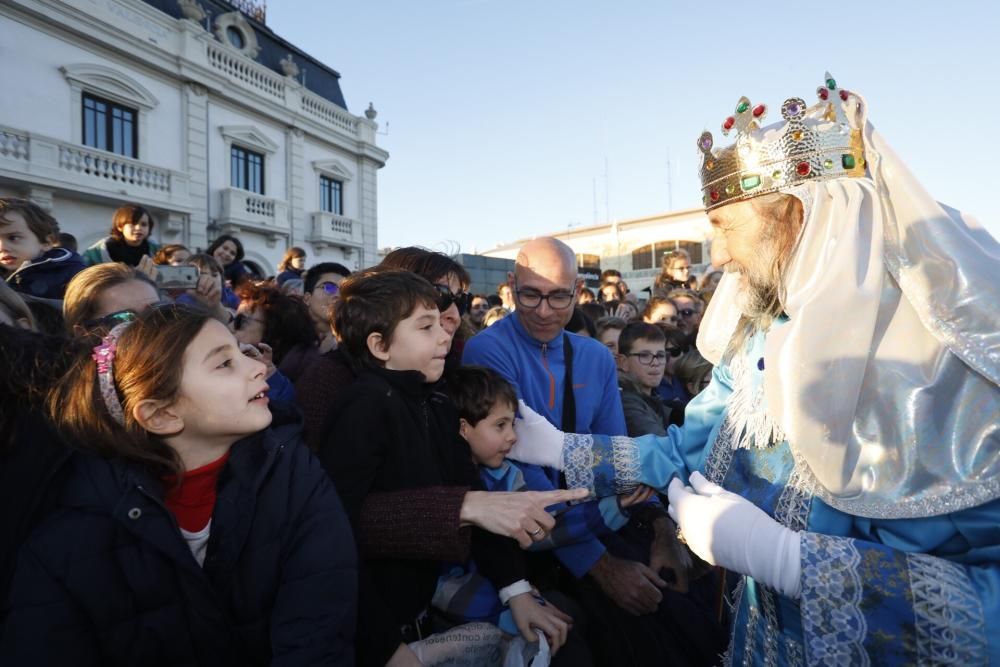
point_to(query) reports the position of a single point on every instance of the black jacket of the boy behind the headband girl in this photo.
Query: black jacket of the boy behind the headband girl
(391, 432)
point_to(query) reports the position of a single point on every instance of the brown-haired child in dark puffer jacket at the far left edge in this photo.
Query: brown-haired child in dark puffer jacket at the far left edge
(29, 259)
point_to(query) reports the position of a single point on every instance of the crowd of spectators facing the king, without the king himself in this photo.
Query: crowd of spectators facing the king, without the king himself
(311, 468)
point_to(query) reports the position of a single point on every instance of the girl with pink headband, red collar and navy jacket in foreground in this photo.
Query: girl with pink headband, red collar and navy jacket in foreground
(195, 527)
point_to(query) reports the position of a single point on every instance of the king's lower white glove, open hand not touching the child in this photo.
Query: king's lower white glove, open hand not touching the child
(728, 530)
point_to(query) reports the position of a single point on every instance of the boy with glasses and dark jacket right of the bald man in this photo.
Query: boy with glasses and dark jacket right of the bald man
(641, 359)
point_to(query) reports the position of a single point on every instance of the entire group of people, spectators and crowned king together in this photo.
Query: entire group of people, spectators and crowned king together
(790, 460)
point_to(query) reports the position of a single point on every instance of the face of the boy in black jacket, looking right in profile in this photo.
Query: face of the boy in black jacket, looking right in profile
(419, 344)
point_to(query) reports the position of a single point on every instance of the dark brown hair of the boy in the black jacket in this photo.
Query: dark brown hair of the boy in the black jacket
(376, 301)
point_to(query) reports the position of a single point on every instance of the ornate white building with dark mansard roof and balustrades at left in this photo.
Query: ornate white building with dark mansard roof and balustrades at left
(109, 102)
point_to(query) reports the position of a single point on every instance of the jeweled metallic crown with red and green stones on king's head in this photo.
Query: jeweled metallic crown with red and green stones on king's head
(815, 143)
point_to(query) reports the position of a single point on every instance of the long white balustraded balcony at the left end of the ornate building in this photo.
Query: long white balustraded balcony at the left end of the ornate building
(52, 162)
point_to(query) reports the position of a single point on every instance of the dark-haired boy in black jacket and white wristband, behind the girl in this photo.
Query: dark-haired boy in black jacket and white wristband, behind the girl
(395, 431)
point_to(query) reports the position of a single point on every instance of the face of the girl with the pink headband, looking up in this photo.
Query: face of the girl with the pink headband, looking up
(223, 392)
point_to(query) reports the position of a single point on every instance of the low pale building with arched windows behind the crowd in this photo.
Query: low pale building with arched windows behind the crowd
(634, 247)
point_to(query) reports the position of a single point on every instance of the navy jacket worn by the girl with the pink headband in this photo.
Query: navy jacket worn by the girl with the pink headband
(109, 580)
